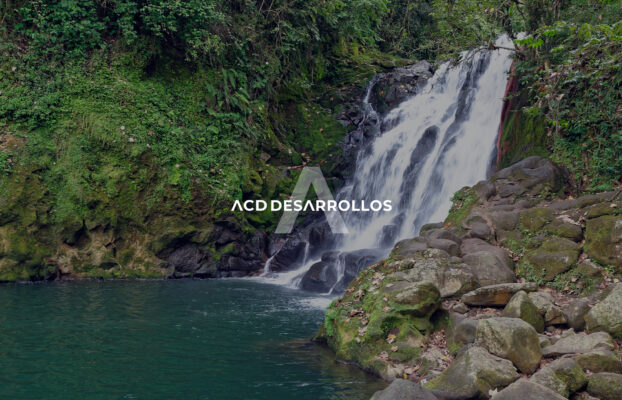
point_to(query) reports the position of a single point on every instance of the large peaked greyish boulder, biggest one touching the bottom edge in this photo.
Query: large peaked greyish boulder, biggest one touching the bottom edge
(473, 375)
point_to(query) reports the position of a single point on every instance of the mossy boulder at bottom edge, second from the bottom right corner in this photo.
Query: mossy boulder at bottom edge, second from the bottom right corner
(564, 376)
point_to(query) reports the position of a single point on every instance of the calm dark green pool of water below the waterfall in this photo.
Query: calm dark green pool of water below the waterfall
(219, 339)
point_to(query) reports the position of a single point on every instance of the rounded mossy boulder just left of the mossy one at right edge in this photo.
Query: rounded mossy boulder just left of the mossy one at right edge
(554, 256)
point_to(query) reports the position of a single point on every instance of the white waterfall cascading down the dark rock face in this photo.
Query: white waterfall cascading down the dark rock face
(438, 141)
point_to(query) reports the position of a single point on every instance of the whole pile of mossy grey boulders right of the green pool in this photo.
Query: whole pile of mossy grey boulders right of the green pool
(505, 286)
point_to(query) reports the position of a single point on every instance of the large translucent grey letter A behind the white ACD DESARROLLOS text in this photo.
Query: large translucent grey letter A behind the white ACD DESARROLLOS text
(312, 176)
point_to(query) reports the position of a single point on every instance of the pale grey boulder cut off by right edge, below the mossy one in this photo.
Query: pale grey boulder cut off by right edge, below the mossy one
(607, 315)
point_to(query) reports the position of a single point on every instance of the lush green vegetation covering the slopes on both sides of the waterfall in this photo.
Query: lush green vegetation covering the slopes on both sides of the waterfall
(115, 112)
